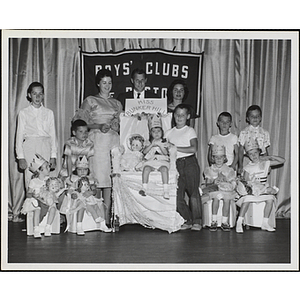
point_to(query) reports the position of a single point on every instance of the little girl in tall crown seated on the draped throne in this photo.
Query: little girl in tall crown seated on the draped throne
(156, 156)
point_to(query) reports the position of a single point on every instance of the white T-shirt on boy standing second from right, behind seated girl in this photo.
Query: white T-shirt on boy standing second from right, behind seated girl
(228, 140)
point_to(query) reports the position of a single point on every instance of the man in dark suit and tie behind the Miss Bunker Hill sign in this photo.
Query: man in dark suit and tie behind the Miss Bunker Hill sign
(138, 80)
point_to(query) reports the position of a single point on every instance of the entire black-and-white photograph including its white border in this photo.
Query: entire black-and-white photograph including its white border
(162, 150)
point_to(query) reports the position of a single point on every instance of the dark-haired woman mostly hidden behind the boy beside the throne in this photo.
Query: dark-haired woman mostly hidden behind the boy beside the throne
(177, 93)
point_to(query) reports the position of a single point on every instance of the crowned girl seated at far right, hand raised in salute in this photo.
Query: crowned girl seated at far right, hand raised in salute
(256, 174)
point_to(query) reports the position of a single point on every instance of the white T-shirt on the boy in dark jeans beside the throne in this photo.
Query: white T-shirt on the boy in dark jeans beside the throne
(181, 138)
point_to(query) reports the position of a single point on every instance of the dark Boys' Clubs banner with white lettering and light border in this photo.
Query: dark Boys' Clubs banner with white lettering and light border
(161, 67)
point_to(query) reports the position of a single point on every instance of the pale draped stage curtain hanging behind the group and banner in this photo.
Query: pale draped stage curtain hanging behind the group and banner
(236, 74)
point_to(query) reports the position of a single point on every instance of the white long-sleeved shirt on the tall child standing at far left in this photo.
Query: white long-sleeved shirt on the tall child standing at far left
(33, 123)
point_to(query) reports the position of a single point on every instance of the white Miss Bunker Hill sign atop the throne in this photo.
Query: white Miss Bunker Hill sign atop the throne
(148, 106)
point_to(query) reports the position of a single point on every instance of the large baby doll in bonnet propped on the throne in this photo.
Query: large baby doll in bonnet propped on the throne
(132, 161)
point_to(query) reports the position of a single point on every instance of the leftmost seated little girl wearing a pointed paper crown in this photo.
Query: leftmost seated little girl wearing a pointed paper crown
(36, 202)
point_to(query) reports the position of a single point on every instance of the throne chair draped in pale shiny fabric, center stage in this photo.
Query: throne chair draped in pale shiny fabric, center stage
(151, 210)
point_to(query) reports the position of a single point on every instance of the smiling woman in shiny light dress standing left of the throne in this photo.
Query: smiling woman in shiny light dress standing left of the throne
(101, 112)
